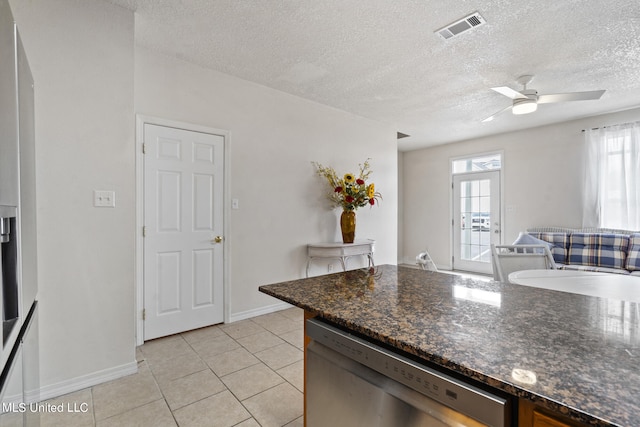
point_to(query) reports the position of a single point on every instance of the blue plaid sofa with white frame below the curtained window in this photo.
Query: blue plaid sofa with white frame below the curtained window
(606, 250)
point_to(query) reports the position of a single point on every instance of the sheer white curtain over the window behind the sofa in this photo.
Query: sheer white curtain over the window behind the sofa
(612, 177)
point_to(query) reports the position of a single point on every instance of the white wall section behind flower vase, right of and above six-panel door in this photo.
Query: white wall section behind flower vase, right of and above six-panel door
(273, 139)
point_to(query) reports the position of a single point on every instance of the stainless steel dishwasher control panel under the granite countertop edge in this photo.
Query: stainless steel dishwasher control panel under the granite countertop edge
(479, 404)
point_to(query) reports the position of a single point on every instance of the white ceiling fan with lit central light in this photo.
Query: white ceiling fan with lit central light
(526, 101)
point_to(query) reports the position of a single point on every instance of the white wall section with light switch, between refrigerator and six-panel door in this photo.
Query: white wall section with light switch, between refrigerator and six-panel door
(81, 56)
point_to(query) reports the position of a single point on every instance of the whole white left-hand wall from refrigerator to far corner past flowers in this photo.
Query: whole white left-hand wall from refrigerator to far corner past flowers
(82, 57)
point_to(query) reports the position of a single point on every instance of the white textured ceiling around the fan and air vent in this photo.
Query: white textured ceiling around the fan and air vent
(381, 59)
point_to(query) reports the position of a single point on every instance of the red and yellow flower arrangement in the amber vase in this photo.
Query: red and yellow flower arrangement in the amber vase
(349, 192)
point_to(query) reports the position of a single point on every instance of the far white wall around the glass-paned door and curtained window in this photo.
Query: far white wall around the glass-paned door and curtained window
(542, 183)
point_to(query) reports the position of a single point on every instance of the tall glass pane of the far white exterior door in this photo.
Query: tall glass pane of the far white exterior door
(475, 202)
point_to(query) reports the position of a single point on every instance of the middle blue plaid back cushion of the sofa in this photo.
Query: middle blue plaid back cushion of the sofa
(598, 250)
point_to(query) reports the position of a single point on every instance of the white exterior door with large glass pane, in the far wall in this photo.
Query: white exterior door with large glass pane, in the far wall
(476, 220)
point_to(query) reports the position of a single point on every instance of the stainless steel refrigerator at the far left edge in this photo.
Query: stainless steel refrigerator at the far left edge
(19, 377)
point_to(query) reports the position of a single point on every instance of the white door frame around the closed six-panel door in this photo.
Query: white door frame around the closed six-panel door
(141, 120)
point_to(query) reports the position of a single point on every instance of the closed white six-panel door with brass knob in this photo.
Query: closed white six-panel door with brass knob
(183, 219)
